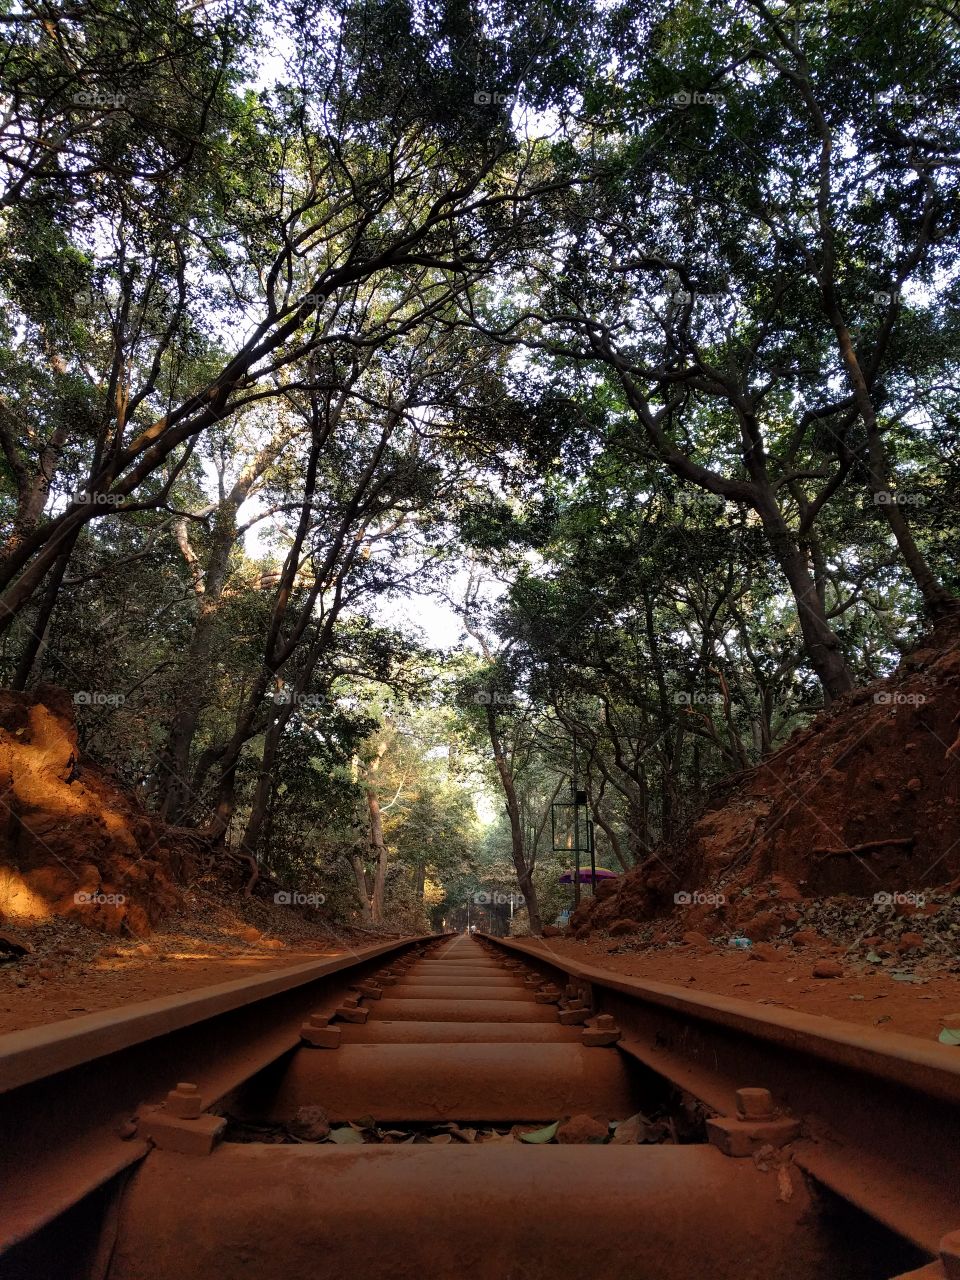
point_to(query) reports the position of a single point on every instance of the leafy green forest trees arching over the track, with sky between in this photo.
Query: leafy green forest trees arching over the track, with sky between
(628, 332)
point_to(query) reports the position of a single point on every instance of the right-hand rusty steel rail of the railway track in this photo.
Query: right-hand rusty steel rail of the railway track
(880, 1110)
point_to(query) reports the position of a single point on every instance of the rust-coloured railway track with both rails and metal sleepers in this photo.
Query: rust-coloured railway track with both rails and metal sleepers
(798, 1148)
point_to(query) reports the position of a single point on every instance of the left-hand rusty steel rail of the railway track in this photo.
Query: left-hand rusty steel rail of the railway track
(68, 1087)
